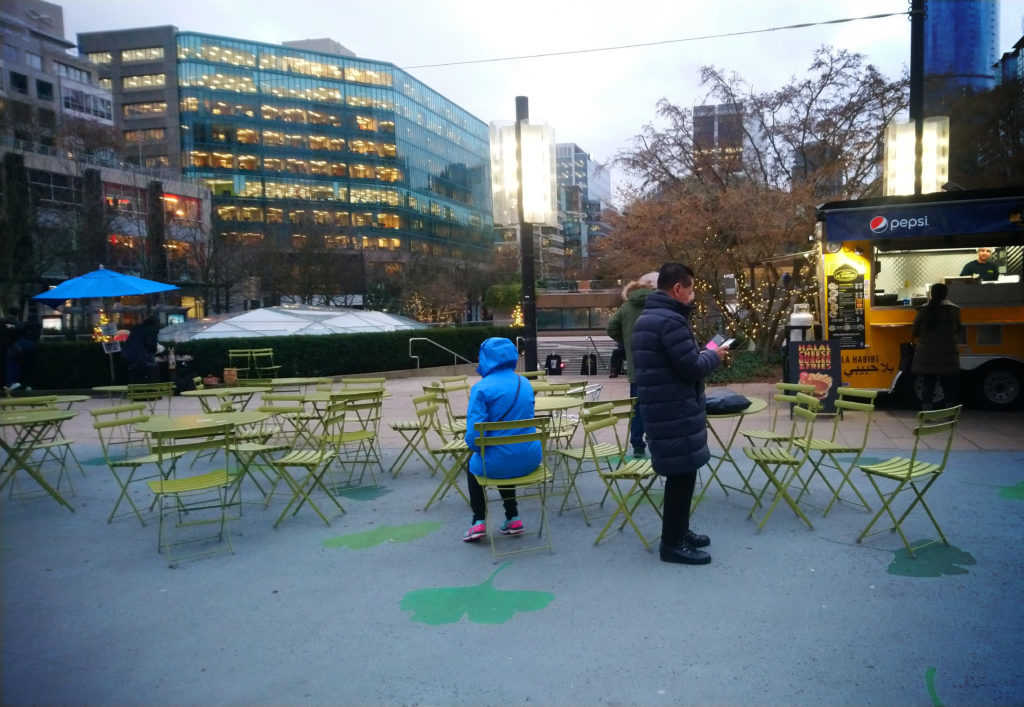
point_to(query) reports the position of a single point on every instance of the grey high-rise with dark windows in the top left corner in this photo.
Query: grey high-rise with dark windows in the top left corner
(44, 90)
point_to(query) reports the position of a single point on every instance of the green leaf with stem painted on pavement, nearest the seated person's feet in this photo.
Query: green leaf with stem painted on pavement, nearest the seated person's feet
(482, 604)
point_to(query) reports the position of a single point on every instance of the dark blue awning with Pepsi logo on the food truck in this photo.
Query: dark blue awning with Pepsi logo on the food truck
(934, 221)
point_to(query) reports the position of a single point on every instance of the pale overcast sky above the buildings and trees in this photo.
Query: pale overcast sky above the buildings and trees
(598, 101)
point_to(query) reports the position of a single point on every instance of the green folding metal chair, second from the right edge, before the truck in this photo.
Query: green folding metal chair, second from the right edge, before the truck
(850, 402)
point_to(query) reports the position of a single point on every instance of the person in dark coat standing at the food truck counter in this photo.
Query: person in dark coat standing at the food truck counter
(936, 358)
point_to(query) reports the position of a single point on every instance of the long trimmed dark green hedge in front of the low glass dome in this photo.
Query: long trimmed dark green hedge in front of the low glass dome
(67, 365)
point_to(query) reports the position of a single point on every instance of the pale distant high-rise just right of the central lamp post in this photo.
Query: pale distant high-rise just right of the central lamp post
(584, 195)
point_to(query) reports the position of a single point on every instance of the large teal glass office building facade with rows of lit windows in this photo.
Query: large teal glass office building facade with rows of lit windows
(307, 148)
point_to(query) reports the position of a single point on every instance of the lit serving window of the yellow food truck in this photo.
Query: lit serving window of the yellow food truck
(905, 277)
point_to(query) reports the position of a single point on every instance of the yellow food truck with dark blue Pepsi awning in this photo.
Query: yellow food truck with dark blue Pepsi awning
(880, 257)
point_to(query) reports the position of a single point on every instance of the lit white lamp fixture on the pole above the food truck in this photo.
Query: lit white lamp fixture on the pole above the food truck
(900, 157)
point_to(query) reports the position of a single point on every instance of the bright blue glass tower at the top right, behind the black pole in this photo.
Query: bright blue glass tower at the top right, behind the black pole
(961, 47)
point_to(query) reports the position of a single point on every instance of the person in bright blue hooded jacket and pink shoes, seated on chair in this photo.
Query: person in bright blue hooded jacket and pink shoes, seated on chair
(501, 395)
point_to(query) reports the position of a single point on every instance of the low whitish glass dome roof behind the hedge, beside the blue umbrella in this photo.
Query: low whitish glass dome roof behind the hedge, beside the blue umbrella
(288, 321)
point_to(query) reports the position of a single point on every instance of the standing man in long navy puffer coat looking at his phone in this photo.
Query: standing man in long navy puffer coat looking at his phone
(670, 373)
